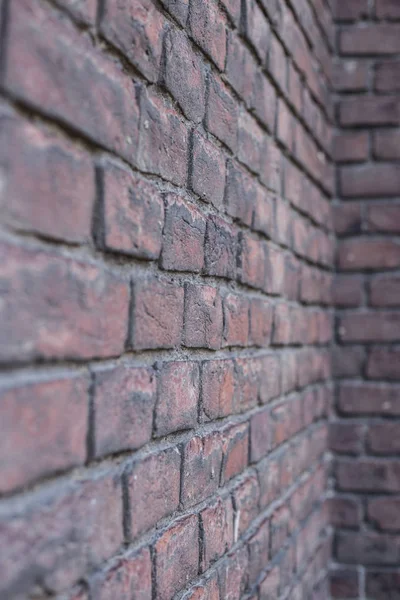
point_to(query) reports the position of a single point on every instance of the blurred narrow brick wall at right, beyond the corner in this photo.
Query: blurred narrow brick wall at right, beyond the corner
(365, 432)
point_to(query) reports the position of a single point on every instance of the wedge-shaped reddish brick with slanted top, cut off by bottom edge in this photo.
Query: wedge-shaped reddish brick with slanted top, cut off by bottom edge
(128, 578)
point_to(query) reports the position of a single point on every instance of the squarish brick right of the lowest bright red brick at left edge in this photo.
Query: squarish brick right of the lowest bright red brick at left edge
(126, 422)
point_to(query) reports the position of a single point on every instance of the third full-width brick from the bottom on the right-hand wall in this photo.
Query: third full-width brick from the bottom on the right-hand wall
(369, 398)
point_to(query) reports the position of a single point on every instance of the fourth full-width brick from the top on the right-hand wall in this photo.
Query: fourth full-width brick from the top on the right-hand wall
(357, 254)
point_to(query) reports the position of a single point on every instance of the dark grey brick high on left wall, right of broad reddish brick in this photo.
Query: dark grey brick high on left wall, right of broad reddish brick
(184, 75)
